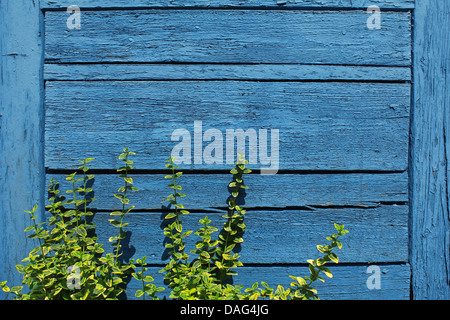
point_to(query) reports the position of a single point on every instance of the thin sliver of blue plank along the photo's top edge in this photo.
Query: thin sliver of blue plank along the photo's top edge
(341, 4)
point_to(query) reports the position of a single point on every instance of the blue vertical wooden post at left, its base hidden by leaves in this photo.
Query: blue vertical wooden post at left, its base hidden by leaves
(21, 128)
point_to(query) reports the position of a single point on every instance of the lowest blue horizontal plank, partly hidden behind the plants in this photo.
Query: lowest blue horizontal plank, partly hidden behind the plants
(348, 282)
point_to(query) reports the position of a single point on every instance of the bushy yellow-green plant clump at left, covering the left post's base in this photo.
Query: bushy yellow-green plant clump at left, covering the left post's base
(69, 263)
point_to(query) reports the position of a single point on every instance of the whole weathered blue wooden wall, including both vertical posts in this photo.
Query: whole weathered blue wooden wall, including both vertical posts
(361, 112)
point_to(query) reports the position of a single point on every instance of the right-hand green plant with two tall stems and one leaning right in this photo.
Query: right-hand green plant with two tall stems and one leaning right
(206, 276)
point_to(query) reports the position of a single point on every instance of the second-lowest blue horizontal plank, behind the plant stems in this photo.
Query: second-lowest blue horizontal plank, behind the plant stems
(278, 236)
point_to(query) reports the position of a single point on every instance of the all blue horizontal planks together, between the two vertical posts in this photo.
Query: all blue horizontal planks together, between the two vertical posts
(338, 92)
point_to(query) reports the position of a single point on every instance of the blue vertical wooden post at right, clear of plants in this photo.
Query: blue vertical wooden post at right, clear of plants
(430, 152)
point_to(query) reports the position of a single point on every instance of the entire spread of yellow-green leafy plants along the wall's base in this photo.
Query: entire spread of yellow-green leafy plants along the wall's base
(70, 263)
